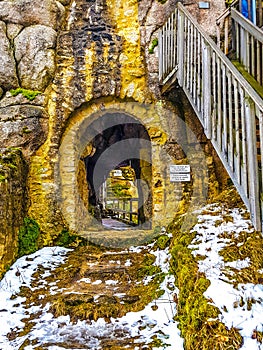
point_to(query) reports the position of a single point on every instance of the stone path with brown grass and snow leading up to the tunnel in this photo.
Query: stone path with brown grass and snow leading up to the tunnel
(96, 299)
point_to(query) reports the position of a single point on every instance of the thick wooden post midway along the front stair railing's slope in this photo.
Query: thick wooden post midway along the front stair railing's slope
(206, 89)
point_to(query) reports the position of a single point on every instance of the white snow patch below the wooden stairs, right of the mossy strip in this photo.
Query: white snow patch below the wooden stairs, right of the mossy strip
(209, 242)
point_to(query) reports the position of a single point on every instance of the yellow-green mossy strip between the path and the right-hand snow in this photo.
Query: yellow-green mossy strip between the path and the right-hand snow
(198, 319)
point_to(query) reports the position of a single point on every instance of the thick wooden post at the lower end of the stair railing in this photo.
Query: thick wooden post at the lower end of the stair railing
(252, 164)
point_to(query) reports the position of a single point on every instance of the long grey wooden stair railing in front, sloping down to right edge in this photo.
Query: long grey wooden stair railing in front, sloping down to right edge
(230, 111)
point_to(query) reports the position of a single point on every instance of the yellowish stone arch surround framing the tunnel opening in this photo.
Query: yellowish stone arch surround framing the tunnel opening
(55, 186)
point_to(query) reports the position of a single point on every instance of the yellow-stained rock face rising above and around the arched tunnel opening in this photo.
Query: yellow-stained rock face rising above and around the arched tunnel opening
(101, 70)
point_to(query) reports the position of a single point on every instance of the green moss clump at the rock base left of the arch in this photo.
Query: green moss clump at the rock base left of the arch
(28, 237)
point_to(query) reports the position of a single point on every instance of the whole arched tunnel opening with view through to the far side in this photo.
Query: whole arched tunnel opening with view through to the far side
(118, 172)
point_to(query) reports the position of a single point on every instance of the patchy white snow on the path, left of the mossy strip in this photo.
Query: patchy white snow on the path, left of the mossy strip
(156, 319)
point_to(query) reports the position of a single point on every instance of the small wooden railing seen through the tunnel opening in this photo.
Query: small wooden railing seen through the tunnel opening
(124, 209)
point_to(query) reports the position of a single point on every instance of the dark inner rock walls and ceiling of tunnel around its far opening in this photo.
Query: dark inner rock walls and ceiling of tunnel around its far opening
(115, 141)
